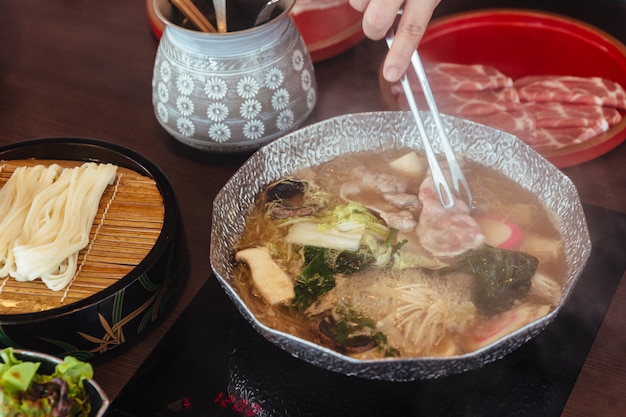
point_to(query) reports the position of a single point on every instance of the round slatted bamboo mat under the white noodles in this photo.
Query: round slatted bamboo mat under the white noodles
(127, 225)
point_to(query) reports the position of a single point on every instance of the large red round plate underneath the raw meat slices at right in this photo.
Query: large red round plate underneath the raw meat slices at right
(524, 42)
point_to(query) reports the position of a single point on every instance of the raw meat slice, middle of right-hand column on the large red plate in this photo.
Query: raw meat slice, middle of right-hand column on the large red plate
(552, 114)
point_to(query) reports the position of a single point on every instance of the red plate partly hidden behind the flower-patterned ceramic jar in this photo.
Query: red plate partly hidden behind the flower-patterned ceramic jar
(327, 31)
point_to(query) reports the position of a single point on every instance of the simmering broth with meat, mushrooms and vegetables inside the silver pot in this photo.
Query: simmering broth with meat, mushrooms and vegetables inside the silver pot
(370, 264)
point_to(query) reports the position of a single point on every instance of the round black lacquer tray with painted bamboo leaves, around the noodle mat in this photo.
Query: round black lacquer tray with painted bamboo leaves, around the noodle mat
(123, 311)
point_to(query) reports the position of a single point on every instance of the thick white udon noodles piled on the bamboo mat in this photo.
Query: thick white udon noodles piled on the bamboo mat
(47, 214)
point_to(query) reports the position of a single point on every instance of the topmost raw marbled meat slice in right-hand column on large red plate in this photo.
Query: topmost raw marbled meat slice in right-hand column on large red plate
(570, 89)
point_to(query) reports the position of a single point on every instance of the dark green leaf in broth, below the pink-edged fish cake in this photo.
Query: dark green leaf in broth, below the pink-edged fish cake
(501, 276)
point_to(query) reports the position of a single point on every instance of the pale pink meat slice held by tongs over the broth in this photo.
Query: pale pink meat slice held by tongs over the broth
(446, 232)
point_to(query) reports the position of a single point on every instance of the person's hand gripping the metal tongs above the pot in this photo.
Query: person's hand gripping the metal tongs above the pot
(380, 15)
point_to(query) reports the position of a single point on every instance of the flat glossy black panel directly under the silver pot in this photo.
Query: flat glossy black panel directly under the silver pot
(212, 363)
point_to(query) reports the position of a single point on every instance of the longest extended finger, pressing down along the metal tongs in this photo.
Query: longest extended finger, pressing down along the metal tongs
(411, 28)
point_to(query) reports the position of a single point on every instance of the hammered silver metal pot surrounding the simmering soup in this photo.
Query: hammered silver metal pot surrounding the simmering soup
(323, 141)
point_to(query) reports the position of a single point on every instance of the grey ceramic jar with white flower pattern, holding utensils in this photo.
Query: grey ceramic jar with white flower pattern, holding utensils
(234, 91)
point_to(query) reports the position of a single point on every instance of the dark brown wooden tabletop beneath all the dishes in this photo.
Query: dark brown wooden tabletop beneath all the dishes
(83, 68)
